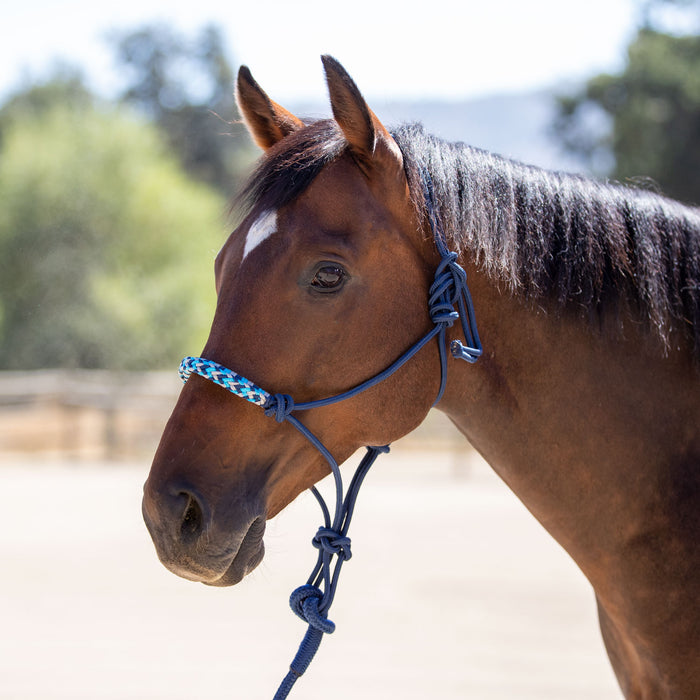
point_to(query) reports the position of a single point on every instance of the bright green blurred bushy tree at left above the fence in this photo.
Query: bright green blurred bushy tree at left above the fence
(106, 247)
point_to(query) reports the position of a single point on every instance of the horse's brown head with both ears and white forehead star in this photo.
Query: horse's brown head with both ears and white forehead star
(322, 285)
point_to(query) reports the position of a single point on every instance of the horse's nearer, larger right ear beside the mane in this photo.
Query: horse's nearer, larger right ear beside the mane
(369, 140)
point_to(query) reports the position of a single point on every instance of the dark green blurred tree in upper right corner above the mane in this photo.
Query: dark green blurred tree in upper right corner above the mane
(645, 122)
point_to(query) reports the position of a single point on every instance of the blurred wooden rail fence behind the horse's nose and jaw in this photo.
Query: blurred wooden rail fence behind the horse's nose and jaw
(121, 415)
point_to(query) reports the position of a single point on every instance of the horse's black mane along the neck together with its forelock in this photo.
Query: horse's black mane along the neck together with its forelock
(545, 234)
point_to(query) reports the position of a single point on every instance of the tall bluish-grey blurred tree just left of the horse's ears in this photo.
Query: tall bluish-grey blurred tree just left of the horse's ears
(186, 87)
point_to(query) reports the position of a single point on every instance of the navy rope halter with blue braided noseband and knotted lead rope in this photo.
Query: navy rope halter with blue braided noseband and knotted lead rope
(312, 601)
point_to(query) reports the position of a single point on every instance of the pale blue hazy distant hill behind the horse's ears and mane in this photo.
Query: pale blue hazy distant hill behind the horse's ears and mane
(515, 126)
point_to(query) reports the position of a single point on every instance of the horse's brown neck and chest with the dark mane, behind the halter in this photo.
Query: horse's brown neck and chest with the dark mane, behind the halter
(592, 420)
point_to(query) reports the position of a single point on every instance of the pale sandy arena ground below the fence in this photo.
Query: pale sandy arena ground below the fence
(454, 591)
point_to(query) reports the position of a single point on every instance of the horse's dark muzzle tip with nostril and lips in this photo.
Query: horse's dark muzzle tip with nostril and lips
(191, 543)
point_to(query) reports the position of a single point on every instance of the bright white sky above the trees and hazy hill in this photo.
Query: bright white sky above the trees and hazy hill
(395, 50)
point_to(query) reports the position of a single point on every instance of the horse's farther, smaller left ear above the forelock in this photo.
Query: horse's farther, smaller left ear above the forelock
(267, 122)
